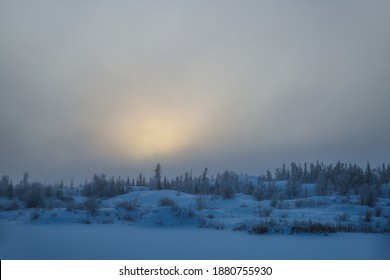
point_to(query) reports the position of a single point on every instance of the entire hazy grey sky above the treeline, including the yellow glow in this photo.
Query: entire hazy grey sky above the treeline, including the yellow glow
(117, 86)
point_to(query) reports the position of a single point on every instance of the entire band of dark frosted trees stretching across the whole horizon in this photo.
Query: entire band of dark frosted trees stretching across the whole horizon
(339, 179)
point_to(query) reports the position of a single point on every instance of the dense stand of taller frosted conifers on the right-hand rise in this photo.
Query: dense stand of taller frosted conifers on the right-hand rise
(339, 179)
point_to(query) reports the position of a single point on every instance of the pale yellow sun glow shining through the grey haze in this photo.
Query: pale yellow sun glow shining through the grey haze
(148, 133)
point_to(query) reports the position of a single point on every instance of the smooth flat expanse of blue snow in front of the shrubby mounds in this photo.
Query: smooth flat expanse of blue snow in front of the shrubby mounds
(75, 241)
